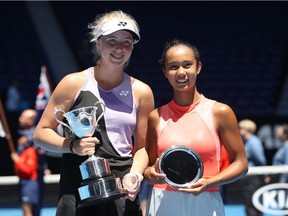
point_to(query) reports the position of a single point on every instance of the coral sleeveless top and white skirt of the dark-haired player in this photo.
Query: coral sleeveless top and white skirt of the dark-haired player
(192, 126)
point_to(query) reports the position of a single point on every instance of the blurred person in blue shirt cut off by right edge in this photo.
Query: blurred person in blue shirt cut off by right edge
(281, 156)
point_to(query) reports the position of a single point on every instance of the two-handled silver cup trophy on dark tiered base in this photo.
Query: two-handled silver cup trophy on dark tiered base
(98, 184)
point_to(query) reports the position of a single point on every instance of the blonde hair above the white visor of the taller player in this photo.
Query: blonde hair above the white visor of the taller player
(101, 19)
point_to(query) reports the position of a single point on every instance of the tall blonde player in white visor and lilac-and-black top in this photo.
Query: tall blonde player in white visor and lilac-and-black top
(128, 102)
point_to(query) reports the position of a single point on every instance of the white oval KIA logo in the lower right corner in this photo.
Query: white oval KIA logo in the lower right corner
(272, 199)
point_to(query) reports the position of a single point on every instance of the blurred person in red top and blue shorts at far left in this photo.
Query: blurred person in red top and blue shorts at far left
(26, 163)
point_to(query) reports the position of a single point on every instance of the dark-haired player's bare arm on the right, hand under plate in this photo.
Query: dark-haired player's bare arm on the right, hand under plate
(228, 130)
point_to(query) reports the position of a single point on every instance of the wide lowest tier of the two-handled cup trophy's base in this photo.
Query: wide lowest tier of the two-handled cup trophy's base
(99, 191)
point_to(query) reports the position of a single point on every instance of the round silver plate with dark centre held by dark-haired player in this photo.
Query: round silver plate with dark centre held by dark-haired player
(181, 165)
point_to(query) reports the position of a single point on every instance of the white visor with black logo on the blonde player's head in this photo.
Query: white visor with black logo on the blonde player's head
(116, 25)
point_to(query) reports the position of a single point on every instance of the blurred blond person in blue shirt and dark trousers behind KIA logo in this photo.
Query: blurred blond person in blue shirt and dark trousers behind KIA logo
(256, 157)
